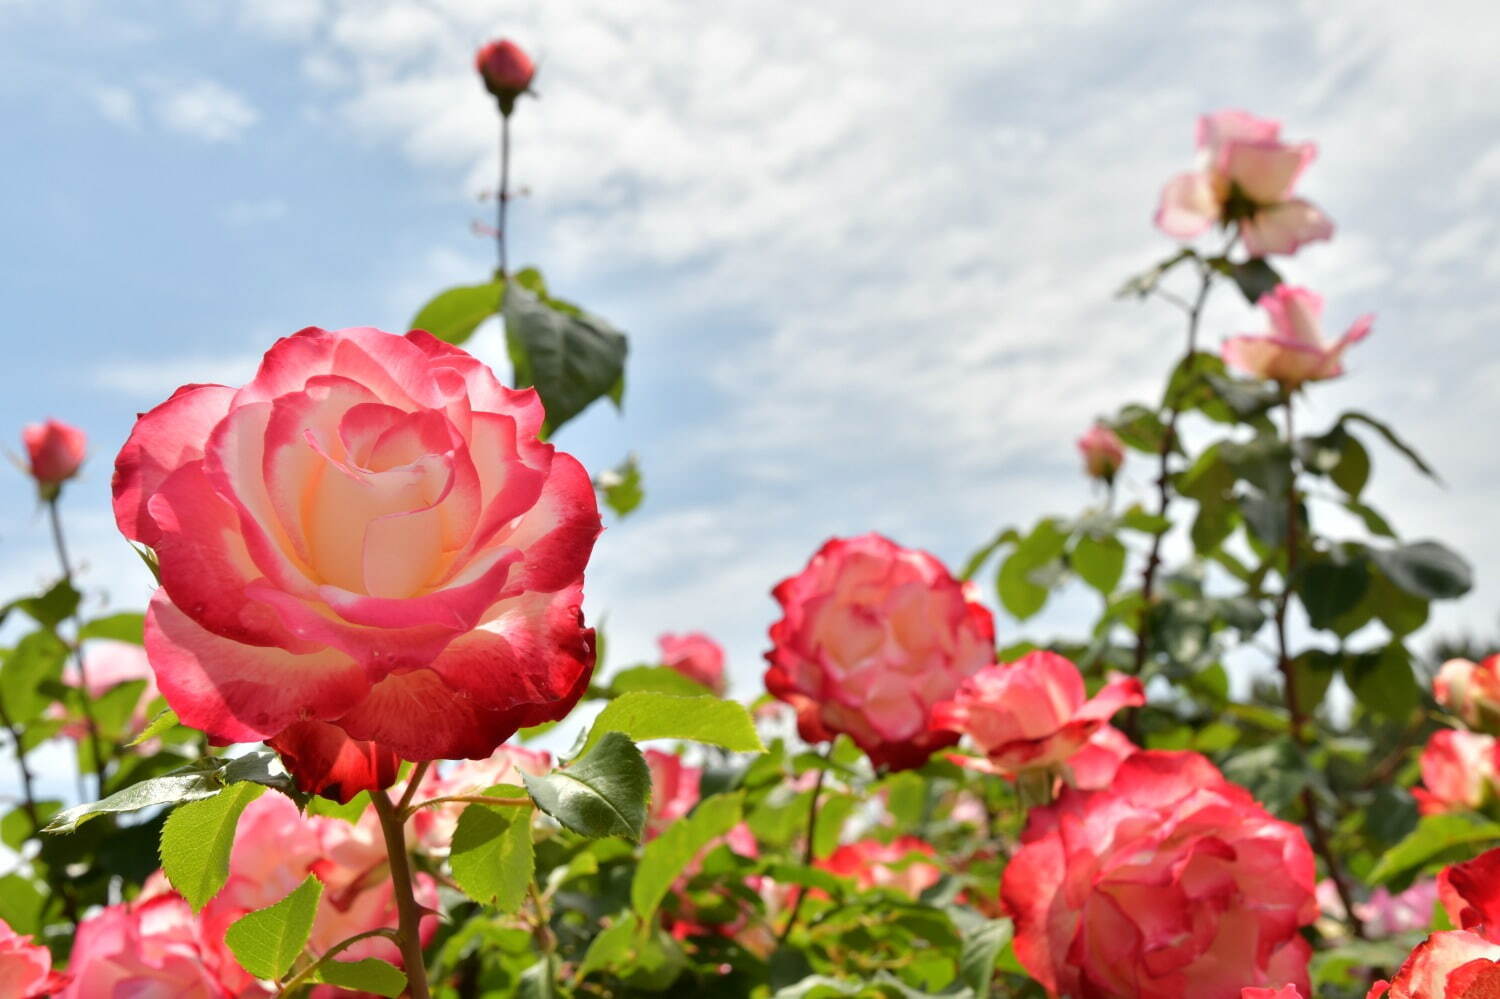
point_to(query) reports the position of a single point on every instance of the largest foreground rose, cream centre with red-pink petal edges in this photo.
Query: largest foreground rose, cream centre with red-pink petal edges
(365, 553)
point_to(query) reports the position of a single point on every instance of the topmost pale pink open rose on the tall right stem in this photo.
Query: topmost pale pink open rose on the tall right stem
(1247, 176)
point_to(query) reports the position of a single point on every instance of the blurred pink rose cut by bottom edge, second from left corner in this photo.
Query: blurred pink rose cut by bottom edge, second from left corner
(151, 947)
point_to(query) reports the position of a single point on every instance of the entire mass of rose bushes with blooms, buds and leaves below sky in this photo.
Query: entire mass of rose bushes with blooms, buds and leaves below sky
(305, 769)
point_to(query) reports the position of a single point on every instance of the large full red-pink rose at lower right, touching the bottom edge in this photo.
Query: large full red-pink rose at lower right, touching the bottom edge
(1171, 883)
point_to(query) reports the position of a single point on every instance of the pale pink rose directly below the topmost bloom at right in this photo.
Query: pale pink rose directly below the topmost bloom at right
(1295, 350)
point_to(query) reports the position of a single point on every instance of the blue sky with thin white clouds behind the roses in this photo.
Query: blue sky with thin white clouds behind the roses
(866, 253)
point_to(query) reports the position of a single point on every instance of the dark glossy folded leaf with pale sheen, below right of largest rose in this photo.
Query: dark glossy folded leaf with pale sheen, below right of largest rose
(601, 794)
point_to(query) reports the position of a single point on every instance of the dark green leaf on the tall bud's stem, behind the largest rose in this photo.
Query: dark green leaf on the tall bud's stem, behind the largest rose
(571, 358)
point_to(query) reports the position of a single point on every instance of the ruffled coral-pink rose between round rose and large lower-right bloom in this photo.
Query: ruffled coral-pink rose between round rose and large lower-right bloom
(1031, 715)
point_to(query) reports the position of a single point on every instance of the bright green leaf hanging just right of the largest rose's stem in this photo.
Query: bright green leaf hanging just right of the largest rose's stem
(493, 859)
